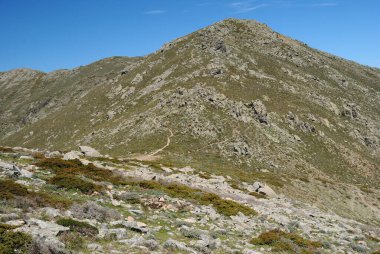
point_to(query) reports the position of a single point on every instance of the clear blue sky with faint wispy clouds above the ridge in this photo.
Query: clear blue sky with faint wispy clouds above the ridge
(55, 34)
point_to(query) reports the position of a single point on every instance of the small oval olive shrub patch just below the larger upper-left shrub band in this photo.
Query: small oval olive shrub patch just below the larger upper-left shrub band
(70, 182)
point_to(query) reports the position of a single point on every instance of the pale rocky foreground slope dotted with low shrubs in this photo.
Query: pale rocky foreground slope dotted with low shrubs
(83, 202)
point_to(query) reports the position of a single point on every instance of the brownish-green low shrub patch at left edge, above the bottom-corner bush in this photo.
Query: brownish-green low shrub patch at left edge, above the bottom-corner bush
(23, 198)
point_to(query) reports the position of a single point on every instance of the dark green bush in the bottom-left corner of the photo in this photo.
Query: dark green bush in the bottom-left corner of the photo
(13, 242)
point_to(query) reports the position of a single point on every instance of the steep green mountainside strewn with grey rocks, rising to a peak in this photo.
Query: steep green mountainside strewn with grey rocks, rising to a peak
(234, 98)
